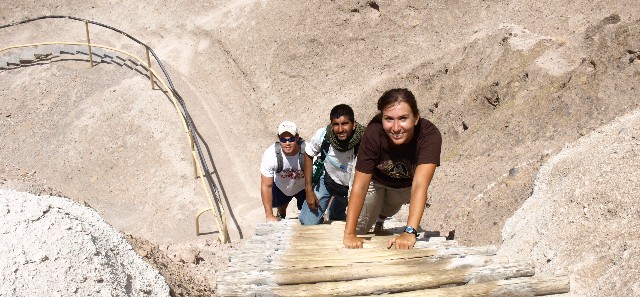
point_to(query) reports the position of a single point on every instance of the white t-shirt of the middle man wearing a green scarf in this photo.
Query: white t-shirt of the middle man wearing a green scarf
(338, 164)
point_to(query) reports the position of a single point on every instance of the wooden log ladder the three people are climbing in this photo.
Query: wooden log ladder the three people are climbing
(287, 259)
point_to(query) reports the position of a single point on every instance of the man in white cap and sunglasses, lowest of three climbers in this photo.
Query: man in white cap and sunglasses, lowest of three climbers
(282, 170)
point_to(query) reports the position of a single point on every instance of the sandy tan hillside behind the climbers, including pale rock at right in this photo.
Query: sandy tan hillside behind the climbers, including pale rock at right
(516, 87)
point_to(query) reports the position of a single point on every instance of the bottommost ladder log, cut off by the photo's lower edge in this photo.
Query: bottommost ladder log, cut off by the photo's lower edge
(527, 286)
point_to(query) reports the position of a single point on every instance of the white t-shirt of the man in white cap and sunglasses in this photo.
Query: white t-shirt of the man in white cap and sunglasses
(291, 179)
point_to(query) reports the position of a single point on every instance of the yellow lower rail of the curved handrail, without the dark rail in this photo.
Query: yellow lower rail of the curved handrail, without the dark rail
(220, 218)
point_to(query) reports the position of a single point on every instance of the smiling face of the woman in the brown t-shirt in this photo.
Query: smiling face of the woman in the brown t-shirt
(399, 122)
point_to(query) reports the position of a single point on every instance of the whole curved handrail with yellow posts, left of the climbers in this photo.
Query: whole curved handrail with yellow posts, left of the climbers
(200, 164)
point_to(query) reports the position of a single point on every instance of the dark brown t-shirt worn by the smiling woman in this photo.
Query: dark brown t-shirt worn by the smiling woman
(394, 166)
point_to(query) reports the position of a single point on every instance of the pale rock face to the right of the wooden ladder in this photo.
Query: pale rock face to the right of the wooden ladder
(582, 218)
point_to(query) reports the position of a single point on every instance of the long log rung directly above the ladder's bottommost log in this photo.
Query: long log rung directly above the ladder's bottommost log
(409, 282)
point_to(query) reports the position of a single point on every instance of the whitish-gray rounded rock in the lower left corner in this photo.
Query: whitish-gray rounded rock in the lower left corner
(54, 246)
